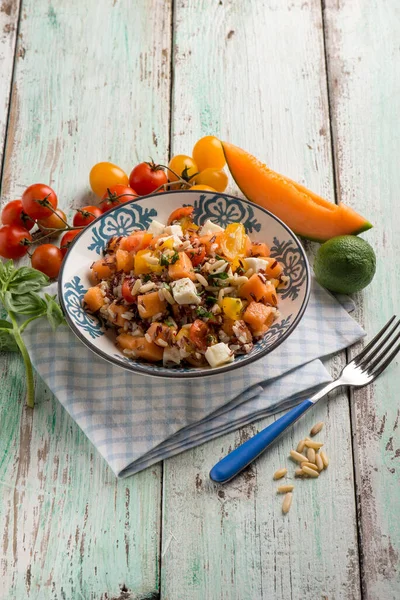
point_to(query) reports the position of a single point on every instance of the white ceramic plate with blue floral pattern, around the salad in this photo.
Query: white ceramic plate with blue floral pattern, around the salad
(222, 209)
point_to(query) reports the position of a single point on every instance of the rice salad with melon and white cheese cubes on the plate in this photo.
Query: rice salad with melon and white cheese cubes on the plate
(181, 294)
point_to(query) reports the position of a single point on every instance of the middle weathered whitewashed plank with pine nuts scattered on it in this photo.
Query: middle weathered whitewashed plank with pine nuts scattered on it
(254, 73)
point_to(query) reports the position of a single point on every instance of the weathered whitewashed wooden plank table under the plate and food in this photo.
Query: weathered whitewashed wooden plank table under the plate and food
(313, 89)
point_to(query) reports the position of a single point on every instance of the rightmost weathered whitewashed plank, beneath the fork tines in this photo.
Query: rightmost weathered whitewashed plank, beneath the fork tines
(364, 75)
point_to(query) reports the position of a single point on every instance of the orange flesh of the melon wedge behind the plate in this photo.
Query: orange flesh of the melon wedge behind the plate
(307, 214)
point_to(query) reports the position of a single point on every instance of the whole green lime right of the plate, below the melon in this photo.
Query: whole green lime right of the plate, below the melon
(345, 264)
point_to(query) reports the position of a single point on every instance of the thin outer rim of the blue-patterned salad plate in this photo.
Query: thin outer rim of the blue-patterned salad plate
(142, 368)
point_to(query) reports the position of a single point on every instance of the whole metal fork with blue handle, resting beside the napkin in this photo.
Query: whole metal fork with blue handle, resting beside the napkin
(363, 369)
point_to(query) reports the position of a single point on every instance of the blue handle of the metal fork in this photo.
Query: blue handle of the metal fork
(238, 459)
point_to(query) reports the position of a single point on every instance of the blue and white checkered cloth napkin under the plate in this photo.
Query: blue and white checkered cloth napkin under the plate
(135, 421)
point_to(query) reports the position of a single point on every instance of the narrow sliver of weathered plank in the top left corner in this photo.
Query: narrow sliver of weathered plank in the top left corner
(9, 14)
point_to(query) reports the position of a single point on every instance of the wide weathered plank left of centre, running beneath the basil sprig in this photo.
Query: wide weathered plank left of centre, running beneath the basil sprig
(97, 89)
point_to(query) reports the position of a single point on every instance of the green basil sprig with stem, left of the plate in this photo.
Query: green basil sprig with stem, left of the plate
(19, 296)
